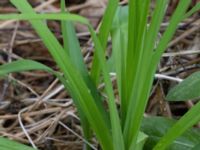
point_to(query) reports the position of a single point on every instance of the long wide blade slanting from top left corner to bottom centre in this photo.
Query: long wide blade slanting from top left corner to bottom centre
(85, 100)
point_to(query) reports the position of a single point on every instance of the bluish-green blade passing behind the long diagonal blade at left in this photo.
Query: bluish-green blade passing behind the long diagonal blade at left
(72, 47)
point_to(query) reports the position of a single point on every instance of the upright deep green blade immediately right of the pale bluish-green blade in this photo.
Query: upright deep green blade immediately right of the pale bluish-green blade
(130, 54)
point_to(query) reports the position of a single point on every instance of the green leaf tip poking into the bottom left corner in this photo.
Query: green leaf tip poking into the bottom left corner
(6, 144)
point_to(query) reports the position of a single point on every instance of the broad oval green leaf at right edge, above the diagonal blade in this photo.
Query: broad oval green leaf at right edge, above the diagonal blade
(186, 90)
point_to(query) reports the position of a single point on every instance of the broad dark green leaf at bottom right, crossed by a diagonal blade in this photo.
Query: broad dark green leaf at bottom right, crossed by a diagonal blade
(157, 127)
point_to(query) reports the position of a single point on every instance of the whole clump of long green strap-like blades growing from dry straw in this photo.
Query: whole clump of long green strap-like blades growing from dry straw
(135, 55)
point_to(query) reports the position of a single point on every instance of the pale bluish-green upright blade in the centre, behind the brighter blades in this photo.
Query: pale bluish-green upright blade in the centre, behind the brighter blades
(119, 47)
